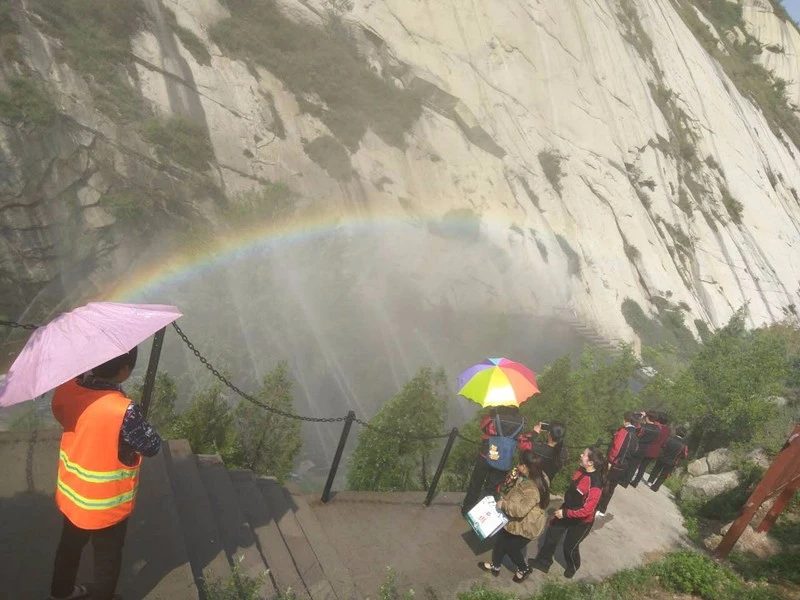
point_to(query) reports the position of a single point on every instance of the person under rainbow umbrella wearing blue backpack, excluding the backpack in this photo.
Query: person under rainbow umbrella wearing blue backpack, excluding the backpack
(485, 479)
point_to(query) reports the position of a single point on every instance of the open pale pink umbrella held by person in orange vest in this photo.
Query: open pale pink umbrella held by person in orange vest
(78, 341)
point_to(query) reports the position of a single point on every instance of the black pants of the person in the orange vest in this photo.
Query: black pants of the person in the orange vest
(107, 544)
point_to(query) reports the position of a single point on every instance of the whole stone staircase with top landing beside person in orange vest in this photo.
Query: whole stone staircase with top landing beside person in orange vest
(194, 519)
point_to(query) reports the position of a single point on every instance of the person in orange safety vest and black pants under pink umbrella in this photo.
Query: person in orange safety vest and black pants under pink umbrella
(105, 436)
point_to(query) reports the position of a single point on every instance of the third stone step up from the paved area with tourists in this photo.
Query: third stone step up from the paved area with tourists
(268, 537)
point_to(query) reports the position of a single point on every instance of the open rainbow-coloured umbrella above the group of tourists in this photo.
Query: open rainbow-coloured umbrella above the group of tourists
(498, 382)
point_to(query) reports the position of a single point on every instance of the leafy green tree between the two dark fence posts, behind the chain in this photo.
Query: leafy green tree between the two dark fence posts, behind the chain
(395, 461)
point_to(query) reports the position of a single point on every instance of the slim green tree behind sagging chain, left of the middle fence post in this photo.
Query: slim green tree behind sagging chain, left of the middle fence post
(269, 443)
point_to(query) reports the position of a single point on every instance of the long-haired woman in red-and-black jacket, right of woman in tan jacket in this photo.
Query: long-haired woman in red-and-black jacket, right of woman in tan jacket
(574, 519)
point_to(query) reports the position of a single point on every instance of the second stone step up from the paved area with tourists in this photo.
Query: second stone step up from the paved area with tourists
(283, 508)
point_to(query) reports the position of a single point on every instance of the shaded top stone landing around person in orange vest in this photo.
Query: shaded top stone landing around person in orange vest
(155, 563)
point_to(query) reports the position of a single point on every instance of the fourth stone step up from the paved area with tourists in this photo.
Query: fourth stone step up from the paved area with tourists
(237, 537)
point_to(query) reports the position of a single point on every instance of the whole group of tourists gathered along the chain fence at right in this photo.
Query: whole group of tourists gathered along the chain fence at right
(523, 493)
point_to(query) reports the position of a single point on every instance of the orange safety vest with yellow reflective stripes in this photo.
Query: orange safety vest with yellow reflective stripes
(94, 490)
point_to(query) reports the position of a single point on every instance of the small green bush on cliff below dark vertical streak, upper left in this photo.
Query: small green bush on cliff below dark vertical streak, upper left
(181, 140)
